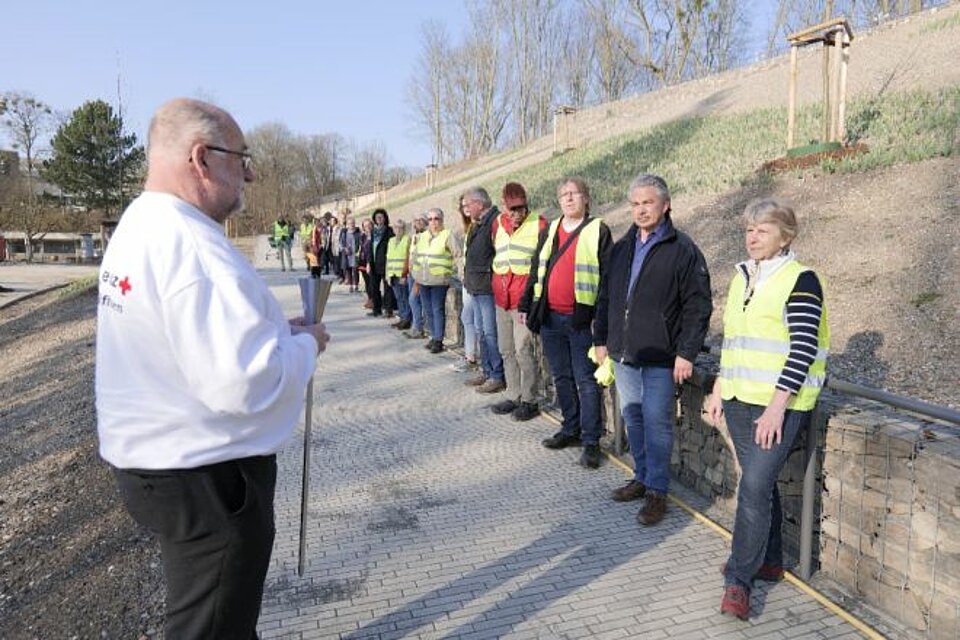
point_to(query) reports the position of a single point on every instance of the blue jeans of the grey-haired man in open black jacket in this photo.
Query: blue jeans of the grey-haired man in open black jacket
(648, 407)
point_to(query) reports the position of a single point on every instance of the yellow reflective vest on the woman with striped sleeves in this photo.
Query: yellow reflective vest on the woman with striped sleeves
(757, 341)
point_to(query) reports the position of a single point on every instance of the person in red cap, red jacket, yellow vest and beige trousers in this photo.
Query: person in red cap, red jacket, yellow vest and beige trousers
(515, 239)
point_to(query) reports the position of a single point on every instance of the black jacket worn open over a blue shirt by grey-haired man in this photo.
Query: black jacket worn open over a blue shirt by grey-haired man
(669, 309)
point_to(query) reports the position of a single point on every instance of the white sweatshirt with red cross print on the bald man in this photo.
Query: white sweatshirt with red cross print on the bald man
(196, 363)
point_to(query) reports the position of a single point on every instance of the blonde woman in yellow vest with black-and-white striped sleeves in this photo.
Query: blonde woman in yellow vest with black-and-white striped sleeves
(773, 366)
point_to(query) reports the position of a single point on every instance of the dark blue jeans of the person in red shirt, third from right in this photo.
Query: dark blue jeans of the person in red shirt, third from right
(577, 390)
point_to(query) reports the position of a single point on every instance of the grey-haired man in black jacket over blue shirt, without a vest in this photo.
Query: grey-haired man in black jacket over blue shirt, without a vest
(652, 316)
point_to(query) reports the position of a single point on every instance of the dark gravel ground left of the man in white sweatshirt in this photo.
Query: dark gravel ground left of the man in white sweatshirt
(72, 563)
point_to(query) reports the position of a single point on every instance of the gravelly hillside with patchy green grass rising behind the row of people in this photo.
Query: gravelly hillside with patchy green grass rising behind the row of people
(881, 227)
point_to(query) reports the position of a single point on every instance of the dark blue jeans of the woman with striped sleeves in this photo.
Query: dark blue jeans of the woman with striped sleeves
(756, 527)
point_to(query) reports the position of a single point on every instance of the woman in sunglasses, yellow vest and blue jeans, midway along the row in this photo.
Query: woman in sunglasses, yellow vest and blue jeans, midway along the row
(433, 257)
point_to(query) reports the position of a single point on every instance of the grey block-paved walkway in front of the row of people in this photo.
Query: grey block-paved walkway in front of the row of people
(433, 518)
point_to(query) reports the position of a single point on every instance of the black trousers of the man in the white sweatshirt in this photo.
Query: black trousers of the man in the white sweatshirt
(215, 526)
